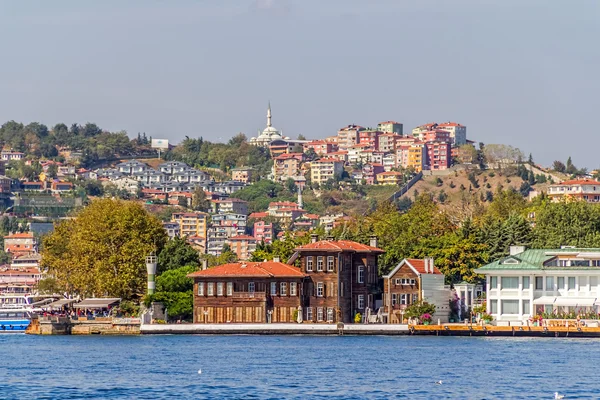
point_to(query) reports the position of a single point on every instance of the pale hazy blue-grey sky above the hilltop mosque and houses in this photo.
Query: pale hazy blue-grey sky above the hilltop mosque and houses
(518, 72)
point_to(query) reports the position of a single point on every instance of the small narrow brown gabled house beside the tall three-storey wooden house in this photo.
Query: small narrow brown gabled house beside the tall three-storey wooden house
(404, 286)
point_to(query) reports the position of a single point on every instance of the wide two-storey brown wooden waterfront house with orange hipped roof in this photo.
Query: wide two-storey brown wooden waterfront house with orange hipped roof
(256, 292)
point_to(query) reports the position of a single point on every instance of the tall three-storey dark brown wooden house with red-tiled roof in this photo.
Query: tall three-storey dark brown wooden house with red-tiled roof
(341, 279)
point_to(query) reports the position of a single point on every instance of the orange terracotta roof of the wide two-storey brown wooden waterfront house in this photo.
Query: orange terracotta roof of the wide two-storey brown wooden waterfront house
(266, 269)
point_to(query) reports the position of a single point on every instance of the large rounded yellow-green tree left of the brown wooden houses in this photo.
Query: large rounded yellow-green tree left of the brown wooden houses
(102, 251)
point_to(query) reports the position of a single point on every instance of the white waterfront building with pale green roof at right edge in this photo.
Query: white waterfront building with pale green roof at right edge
(530, 282)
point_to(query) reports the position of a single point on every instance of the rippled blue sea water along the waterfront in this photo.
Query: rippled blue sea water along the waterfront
(296, 367)
